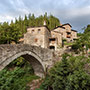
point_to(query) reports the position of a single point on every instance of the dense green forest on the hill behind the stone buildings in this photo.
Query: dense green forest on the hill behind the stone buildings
(15, 30)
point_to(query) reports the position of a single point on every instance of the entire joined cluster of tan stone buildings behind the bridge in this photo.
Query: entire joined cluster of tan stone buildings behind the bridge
(43, 37)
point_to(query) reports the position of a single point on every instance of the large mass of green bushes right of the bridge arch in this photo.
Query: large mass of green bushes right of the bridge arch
(69, 74)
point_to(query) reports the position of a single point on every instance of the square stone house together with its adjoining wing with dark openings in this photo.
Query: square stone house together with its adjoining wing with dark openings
(43, 37)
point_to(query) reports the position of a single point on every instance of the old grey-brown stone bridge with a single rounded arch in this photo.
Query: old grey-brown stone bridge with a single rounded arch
(40, 58)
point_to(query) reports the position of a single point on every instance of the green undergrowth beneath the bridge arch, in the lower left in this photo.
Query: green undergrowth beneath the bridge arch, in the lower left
(16, 75)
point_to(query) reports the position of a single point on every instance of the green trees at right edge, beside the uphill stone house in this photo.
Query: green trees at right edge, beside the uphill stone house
(83, 43)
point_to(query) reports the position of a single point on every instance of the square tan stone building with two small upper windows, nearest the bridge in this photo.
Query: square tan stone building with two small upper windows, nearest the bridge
(38, 36)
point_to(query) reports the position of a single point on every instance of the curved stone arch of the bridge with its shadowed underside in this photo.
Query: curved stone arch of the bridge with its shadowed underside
(35, 60)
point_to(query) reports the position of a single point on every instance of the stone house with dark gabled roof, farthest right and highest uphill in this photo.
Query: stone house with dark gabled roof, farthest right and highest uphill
(66, 32)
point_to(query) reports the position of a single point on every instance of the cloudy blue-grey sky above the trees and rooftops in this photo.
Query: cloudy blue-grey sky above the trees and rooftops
(74, 12)
